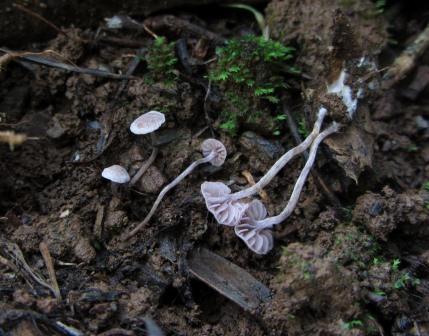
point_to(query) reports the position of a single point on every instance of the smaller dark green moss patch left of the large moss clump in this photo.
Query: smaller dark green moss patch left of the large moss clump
(161, 60)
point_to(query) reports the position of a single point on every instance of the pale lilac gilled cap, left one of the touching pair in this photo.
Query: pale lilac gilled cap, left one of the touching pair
(225, 211)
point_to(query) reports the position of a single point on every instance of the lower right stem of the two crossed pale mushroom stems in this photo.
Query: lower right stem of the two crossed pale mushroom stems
(294, 198)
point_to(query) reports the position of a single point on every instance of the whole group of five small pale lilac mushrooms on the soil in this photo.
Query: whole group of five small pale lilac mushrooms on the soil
(248, 217)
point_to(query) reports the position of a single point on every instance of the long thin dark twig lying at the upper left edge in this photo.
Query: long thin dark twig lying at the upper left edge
(34, 58)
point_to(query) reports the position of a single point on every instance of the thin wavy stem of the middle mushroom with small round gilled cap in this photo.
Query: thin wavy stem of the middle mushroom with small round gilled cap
(167, 188)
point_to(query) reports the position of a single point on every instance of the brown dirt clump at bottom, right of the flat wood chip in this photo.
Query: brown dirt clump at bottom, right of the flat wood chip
(311, 284)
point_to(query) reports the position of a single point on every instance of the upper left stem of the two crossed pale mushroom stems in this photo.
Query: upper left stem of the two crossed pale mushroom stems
(256, 188)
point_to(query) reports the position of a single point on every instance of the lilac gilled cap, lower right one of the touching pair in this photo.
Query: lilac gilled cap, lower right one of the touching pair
(259, 241)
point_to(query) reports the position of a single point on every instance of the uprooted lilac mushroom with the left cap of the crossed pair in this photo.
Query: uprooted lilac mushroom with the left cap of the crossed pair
(226, 207)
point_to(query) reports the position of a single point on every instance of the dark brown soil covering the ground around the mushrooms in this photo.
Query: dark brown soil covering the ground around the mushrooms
(358, 268)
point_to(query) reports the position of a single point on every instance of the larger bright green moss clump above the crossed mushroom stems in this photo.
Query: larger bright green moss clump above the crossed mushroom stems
(250, 71)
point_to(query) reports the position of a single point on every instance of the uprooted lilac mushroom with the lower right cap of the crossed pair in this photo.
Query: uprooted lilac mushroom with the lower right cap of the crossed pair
(254, 228)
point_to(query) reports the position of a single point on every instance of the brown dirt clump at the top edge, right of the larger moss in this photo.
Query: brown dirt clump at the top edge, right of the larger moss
(310, 25)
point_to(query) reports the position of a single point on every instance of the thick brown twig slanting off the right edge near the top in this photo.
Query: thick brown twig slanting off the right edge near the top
(406, 61)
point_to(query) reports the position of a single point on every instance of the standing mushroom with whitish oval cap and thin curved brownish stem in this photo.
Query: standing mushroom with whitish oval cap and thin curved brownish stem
(147, 123)
